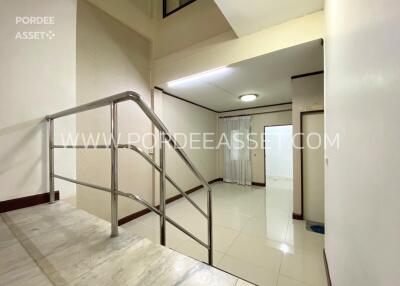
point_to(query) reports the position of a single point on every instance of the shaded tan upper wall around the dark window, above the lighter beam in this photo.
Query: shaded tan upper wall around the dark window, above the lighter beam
(176, 32)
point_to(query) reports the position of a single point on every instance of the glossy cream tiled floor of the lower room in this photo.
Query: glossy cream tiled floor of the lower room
(254, 235)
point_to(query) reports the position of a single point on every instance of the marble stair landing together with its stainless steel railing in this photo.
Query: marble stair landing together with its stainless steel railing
(57, 244)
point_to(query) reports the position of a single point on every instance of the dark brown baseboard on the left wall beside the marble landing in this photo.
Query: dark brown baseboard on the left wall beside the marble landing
(25, 202)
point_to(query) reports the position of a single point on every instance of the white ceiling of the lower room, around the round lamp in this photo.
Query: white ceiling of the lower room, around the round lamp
(268, 76)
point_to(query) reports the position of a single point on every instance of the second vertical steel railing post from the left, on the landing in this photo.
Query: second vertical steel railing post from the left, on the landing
(114, 170)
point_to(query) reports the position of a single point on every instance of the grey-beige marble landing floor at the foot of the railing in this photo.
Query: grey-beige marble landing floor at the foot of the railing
(61, 245)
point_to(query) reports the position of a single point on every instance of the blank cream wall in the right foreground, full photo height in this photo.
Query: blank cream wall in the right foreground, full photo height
(362, 176)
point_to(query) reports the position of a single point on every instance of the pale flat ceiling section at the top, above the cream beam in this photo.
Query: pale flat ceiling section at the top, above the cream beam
(247, 17)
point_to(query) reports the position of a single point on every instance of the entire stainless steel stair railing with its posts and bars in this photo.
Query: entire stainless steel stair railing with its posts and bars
(165, 138)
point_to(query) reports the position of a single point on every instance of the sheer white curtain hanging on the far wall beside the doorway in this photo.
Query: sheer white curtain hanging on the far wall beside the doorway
(237, 153)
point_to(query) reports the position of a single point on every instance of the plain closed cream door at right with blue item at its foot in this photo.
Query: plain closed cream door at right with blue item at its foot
(313, 166)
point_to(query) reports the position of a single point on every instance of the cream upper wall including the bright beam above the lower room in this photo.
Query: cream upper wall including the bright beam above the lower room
(184, 43)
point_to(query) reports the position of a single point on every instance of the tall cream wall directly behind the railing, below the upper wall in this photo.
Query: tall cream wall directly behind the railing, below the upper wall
(111, 58)
